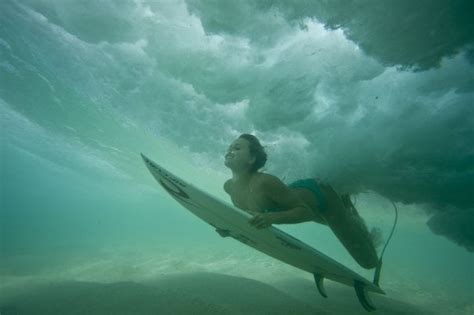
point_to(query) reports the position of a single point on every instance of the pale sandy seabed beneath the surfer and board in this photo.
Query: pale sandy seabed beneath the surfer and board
(193, 282)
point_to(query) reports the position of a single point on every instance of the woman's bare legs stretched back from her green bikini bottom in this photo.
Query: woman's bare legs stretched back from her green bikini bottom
(349, 228)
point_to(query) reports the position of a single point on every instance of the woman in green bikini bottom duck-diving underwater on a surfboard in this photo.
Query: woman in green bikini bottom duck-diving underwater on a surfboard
(270, 201)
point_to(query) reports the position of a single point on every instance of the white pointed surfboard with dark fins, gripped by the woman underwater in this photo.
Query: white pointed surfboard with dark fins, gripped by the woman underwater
(231, 221)
